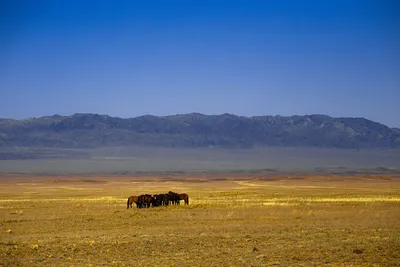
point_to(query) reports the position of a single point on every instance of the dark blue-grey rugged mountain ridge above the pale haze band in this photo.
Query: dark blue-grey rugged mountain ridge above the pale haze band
(197, 130)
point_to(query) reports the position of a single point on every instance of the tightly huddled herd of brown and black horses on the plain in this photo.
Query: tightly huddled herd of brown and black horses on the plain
(147, 200)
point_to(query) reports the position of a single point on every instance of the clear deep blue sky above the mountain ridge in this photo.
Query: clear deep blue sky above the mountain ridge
(130, 58)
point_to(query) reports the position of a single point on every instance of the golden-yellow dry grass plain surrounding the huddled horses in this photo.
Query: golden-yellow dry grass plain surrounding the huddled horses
(232, 220)
